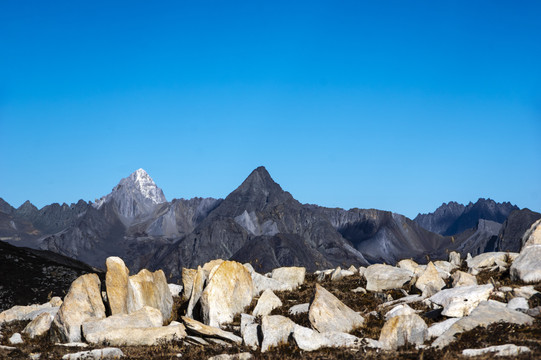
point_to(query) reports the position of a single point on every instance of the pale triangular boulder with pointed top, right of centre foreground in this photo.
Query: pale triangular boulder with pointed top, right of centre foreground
(328, 313)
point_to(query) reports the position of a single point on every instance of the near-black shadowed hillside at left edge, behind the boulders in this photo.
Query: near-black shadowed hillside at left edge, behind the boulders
(32, 276)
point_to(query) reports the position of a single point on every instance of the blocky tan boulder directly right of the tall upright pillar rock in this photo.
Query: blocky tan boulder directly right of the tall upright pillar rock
(150, 289)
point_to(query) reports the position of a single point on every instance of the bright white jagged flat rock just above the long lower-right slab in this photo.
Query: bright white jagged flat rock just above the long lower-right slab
(461, 301)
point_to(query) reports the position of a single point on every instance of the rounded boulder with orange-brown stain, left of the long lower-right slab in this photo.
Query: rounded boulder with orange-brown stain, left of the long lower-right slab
(401, 330)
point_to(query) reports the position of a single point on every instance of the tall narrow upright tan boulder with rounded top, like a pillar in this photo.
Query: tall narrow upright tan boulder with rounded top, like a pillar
(116, 282)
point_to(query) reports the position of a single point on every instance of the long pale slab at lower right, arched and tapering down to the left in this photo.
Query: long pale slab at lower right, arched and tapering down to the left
(485, 314)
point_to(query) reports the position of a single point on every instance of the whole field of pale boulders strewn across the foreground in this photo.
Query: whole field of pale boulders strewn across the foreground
(227, 304)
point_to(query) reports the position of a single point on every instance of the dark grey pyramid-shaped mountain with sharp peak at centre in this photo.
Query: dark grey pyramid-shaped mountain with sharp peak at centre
(260, 213)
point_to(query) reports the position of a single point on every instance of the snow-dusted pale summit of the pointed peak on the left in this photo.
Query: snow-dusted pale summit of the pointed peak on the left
(135, 196)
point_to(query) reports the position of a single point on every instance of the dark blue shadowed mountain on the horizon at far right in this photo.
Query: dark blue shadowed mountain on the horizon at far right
(453, 218)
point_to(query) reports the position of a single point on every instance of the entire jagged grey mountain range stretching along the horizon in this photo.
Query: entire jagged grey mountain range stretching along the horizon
(258, 222)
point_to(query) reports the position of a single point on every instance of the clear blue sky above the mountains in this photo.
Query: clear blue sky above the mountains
(386, 104)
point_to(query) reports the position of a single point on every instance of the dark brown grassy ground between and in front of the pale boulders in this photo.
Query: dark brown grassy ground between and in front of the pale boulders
(495, 334)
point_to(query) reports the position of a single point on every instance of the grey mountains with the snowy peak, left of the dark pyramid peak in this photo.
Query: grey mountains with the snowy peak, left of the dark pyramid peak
(132, 221)
